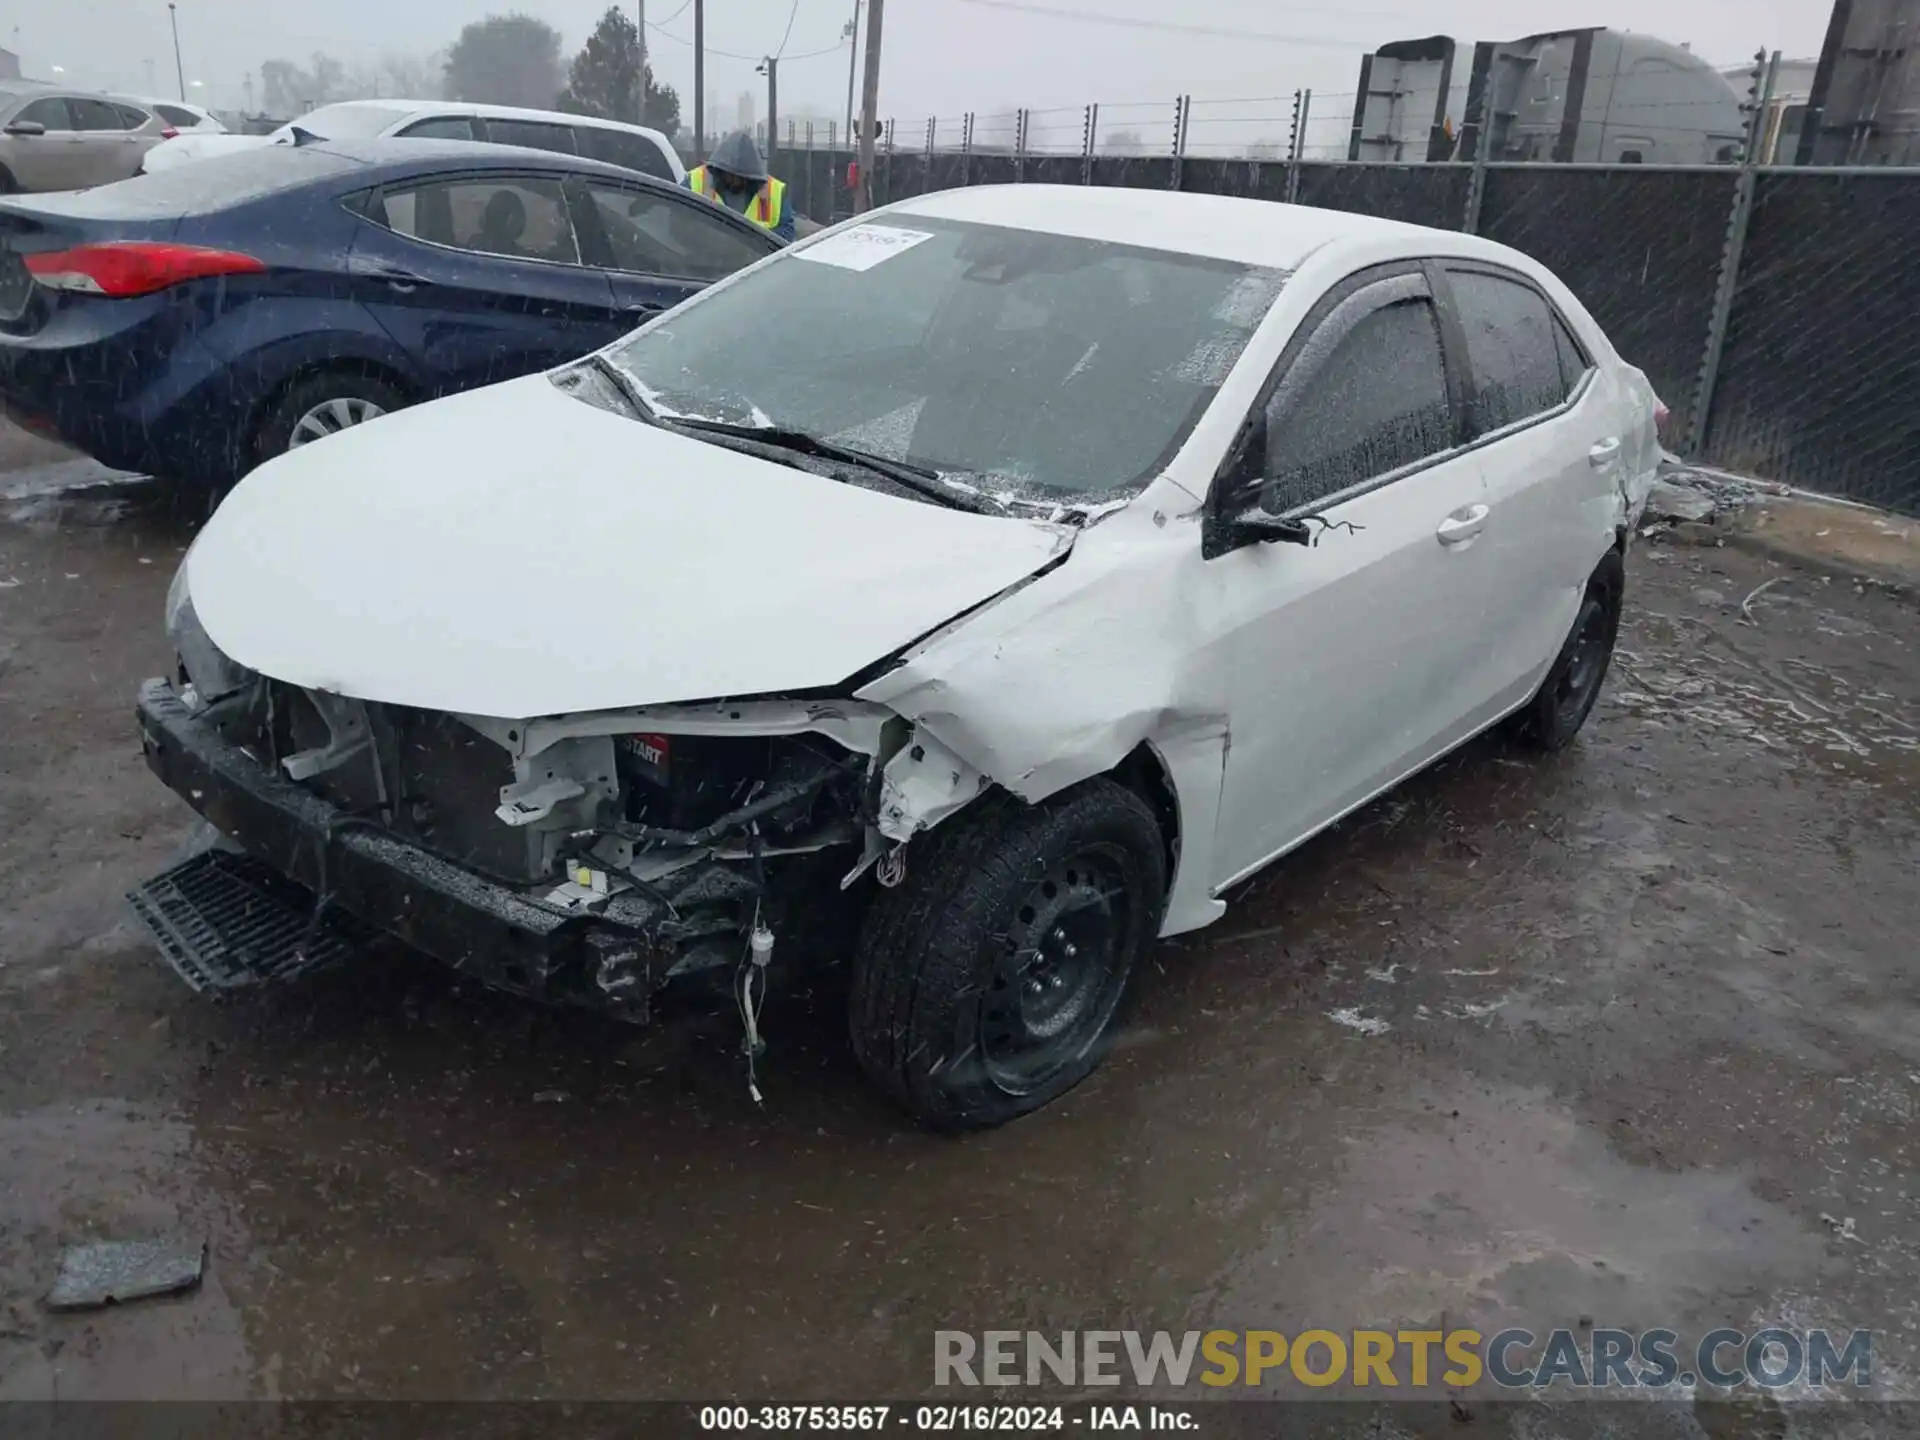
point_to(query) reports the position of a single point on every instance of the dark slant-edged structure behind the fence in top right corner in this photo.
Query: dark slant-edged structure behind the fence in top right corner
(1865, 97)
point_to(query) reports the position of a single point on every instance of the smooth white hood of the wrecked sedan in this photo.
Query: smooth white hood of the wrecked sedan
(517, 554)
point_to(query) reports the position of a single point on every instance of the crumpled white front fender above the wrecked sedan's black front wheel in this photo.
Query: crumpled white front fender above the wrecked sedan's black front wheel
(1063, 679)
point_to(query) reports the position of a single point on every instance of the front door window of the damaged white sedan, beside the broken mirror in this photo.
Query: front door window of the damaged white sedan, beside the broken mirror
(1376, 406)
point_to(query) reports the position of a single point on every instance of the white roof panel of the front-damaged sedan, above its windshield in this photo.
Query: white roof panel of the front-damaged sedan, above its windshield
(1222, 228)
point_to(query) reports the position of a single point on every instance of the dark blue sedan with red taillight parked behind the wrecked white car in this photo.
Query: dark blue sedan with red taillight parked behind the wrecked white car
(201, 322)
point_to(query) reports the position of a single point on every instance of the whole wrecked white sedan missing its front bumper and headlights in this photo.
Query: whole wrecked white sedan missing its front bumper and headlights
(976, 590)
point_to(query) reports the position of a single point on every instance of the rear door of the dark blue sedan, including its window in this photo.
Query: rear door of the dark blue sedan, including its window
(479, 277)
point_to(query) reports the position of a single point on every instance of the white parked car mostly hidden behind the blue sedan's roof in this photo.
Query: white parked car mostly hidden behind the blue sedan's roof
(635, 147)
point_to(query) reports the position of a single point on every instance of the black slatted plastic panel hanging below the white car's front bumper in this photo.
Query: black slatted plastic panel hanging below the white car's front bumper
(228, 921)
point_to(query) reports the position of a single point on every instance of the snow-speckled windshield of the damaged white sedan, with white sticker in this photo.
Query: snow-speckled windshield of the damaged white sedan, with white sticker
(1017, 364)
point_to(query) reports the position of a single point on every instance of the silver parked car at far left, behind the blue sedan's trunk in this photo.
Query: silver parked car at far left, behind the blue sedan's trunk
(68, 141)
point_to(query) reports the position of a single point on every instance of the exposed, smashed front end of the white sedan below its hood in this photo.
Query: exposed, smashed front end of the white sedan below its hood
(579, 861)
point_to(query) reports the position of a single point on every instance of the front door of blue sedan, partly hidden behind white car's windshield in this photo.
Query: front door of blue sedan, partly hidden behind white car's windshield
(660, 245)
